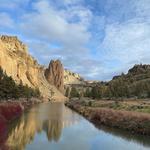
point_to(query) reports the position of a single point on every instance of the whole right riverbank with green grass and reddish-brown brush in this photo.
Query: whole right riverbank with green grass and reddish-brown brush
(115, 116)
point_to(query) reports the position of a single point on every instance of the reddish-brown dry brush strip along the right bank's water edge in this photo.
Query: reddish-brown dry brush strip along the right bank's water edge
(133, 121)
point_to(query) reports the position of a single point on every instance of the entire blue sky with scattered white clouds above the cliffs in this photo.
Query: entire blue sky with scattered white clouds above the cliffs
(95, 38)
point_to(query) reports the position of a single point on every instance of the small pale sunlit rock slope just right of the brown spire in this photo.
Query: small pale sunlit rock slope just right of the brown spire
(72, 78)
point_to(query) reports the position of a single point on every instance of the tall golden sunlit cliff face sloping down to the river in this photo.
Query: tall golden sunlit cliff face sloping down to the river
(16, 61)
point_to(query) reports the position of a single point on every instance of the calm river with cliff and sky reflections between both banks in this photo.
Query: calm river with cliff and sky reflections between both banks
(52, 126)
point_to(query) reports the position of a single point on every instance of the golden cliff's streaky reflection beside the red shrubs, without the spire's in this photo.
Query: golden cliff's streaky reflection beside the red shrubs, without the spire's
(23, 132)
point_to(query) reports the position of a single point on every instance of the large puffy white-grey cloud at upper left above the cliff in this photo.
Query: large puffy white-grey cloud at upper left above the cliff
(47, 23)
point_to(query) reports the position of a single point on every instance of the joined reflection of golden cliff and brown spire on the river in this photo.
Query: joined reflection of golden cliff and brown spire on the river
(49, 118)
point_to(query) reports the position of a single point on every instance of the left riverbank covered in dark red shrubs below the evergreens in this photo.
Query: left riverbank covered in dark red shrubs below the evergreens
(10, 110)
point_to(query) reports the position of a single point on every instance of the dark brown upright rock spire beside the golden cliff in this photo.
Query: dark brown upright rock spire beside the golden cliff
(55, 74)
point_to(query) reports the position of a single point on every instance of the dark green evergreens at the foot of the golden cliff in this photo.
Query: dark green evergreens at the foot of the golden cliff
(10, 90)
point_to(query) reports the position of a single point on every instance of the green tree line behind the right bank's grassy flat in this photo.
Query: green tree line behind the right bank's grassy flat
(118, 88)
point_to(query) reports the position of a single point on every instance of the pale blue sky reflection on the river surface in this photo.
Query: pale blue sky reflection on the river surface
(83, 136)
